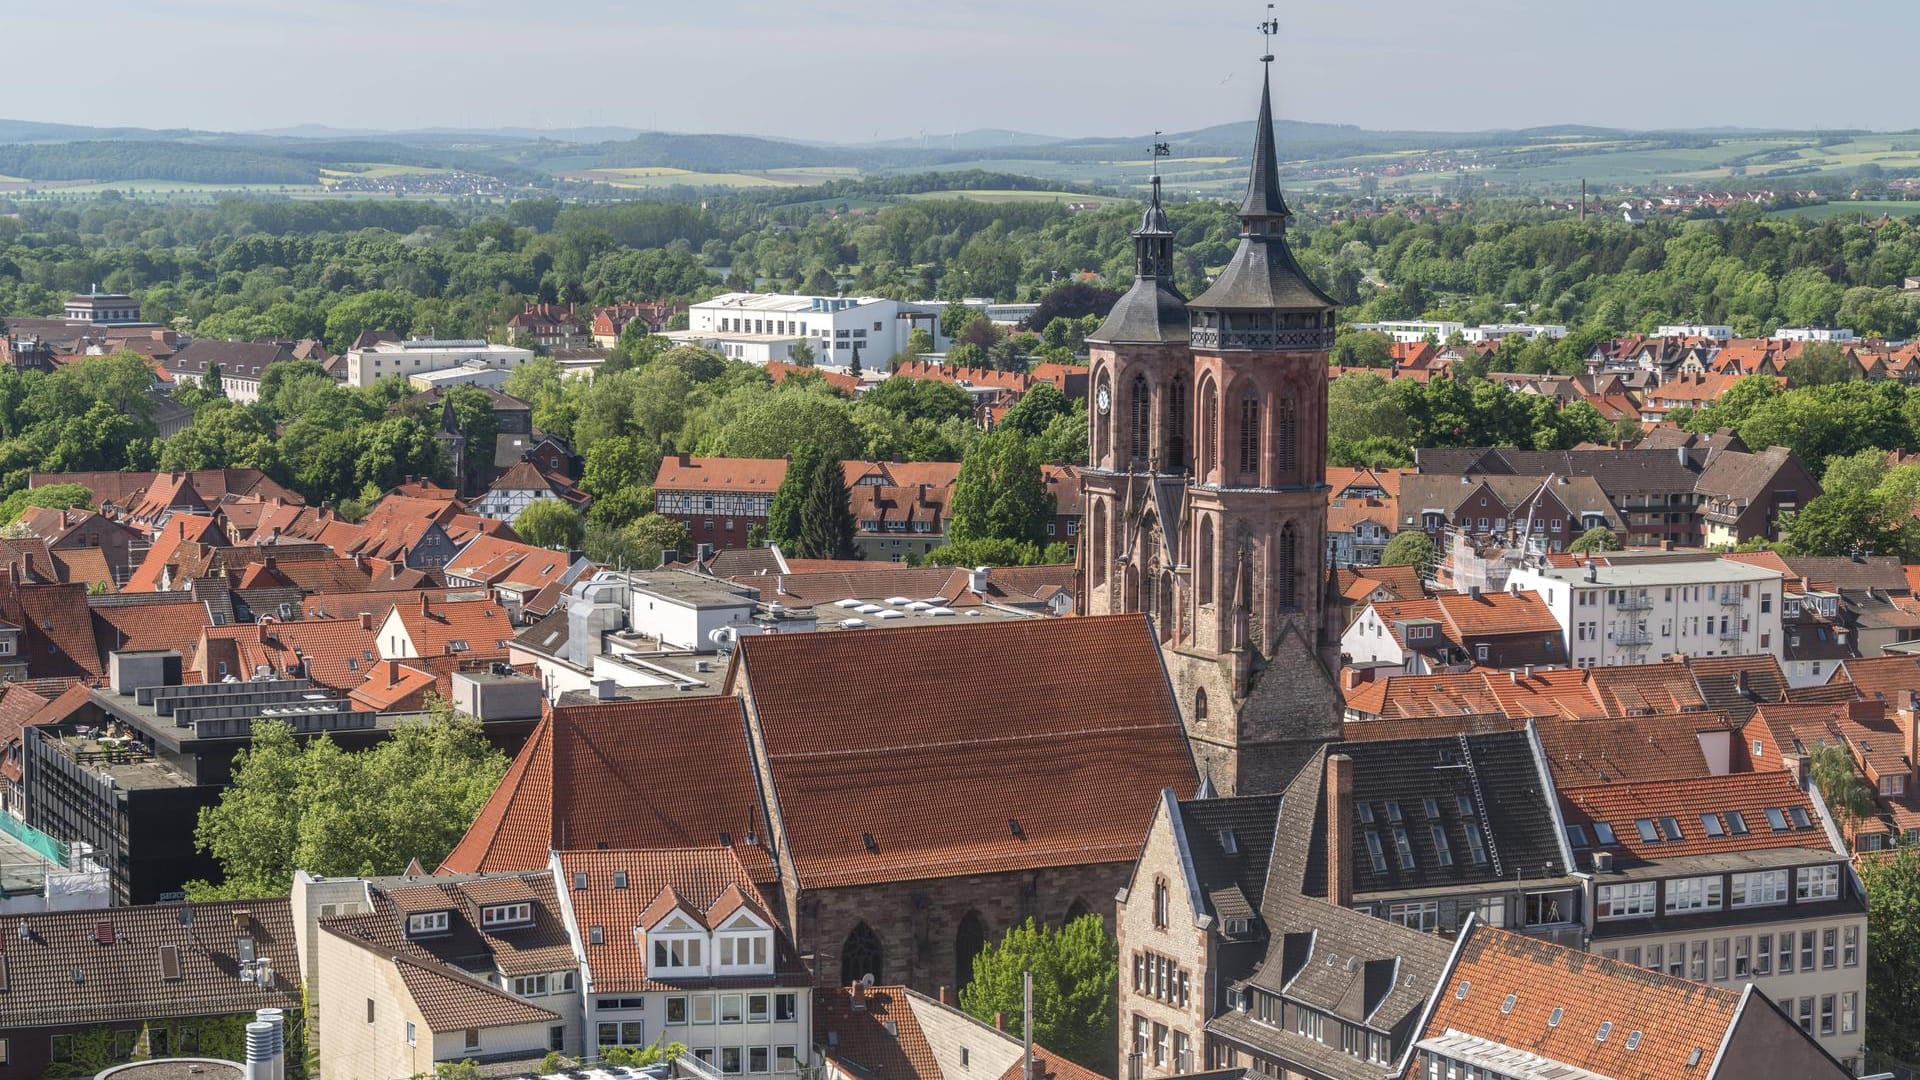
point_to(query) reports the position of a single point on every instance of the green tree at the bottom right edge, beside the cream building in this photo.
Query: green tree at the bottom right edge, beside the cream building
(1894, 954)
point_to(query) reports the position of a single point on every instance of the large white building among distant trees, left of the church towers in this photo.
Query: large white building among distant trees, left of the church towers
(763, 328)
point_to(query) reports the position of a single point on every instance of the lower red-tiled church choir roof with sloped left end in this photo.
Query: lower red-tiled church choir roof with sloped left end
(660, 773)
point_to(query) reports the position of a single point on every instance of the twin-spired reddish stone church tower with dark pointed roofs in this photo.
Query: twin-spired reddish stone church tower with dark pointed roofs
(1207, 491)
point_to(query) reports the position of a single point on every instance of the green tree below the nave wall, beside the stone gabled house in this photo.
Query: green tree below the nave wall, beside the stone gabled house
(1074, 989)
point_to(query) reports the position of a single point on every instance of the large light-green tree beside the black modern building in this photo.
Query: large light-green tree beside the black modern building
(335, 812)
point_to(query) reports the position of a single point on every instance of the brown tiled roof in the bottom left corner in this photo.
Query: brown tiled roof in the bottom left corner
(118, 958)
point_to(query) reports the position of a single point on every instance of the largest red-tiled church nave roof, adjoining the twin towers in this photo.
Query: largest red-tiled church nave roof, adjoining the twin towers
(980, 749)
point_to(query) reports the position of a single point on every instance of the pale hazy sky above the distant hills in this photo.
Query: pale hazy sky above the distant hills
(852, 70)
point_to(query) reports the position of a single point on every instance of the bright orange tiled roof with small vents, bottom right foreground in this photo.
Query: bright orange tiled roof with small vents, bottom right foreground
(1673, 1019)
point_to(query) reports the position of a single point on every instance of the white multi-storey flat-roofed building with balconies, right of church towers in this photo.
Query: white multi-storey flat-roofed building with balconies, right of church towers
(1623, 610)
